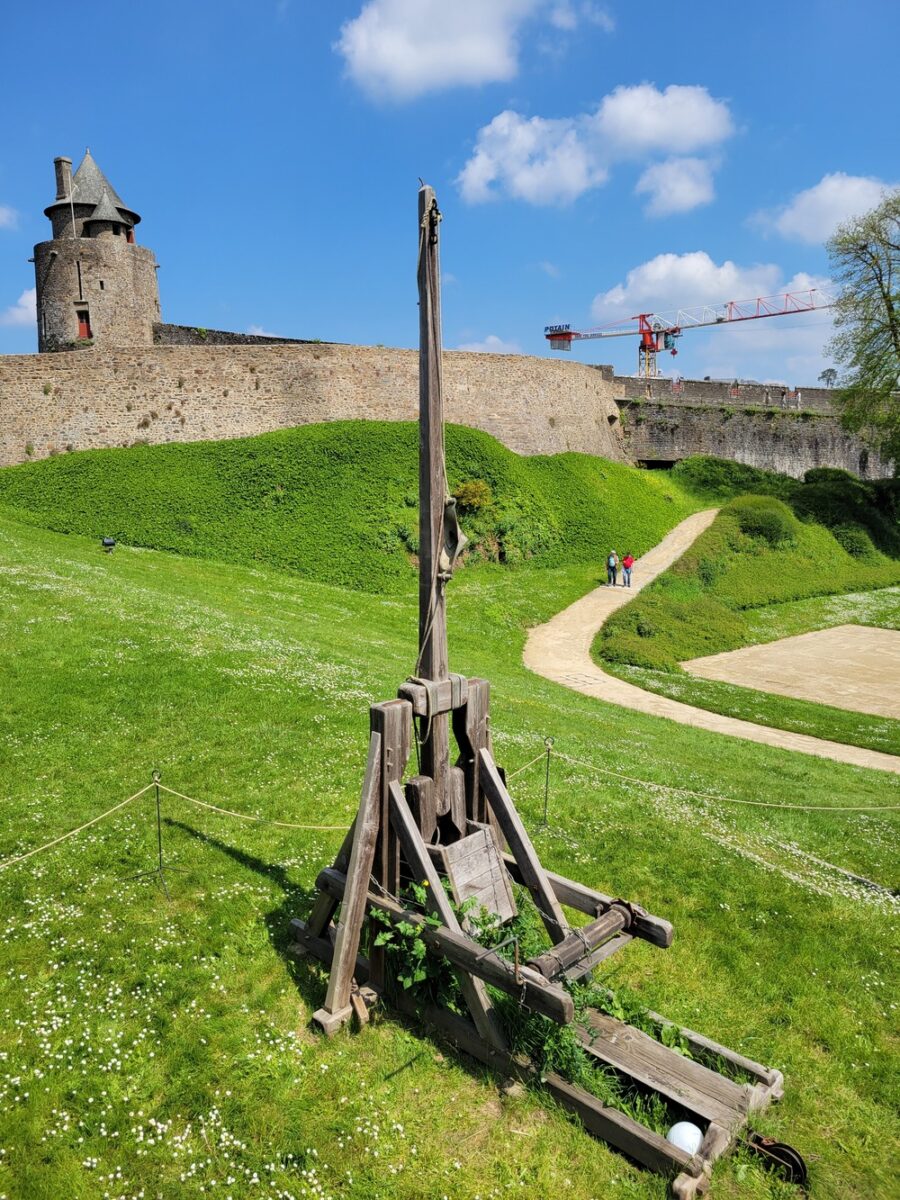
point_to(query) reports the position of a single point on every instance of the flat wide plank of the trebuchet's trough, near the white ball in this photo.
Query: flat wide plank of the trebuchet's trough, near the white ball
(701, 1091)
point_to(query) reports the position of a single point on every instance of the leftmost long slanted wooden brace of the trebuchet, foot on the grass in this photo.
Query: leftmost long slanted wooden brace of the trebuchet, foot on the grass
(359, 871)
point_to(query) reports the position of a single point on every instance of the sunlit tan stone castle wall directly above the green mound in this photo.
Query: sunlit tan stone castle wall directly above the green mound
(95, 399)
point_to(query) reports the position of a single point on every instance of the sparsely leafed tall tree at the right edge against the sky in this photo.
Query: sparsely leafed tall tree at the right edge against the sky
(866, 259)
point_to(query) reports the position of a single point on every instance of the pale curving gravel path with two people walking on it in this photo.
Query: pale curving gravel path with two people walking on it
(561, 651)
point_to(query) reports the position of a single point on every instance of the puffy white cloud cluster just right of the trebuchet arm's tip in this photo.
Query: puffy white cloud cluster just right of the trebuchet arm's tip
(556, 160)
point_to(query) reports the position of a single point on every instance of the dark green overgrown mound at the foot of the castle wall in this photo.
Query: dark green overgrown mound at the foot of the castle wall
(338, 502)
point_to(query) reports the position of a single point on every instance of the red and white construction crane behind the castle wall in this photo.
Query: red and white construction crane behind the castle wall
(659, 332)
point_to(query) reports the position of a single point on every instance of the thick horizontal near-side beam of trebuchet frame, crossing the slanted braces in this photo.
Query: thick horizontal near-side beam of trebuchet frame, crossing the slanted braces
(531, 989)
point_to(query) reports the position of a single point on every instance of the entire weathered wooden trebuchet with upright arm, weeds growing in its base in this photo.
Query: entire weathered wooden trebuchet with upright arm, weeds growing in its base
(428, 854)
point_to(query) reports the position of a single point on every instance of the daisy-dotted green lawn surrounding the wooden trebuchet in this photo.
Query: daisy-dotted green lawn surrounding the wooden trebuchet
(250, 689)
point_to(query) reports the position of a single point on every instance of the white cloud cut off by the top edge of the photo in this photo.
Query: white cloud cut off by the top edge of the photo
(405, 49)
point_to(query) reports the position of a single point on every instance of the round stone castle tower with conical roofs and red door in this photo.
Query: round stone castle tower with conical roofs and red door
(95, 286)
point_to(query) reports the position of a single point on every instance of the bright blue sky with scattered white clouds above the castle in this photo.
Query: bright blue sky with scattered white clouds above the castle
(592, 161)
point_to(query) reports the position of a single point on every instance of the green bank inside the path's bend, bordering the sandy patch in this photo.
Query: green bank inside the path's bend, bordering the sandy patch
(723, 596)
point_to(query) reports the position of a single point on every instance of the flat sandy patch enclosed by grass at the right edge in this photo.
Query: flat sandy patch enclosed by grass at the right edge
(849, 667)
